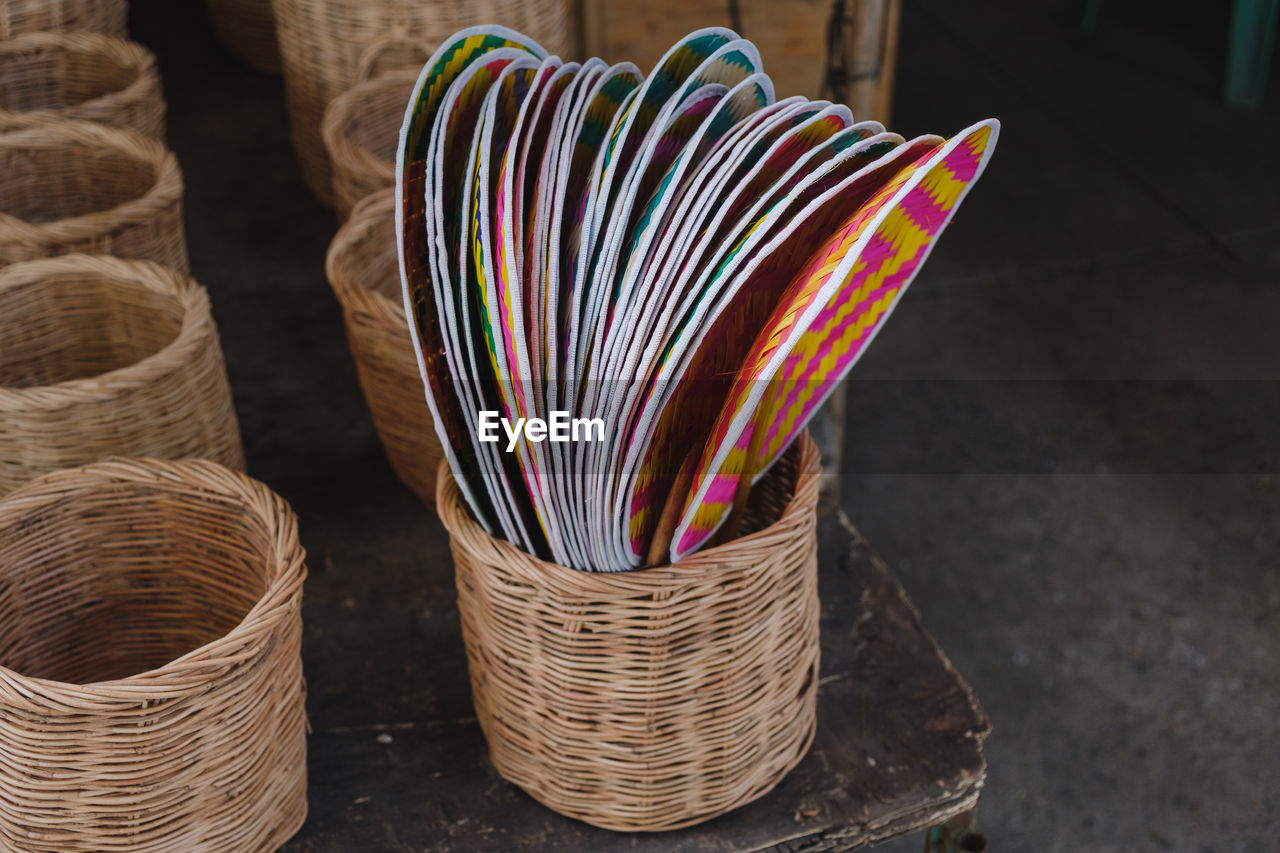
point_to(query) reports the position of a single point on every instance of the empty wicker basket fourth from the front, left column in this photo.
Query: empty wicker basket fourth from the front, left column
(83, 76)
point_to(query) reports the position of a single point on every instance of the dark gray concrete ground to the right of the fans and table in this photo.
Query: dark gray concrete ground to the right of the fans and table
(1067, 443)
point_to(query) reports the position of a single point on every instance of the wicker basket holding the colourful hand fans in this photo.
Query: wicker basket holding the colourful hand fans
(657, 699)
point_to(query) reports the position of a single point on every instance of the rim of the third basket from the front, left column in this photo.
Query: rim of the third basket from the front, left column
(30, 131)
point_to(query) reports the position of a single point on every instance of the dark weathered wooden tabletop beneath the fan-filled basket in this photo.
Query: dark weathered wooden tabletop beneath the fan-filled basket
(899, 743)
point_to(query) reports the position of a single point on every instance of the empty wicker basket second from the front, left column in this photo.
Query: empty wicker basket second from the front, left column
(100, 357)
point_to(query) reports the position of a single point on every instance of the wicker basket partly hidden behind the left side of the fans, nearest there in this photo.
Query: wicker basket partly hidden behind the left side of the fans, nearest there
(364, 272)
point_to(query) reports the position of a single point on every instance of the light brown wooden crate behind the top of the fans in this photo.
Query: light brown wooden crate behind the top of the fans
(793, 38)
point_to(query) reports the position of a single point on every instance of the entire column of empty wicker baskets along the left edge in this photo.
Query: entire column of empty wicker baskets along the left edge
(152, 692)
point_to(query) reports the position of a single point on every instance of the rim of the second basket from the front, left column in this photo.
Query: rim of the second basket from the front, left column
(163, 281)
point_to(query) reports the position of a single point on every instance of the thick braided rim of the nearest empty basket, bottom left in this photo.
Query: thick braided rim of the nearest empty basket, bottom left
(194, 670)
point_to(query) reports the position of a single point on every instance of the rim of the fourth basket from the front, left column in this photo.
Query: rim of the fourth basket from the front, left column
(124, 53)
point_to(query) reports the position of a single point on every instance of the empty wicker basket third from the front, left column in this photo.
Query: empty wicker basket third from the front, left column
(84, 188)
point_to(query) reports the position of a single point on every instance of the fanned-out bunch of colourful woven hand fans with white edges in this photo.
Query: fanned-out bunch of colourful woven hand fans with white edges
(675, 271)
